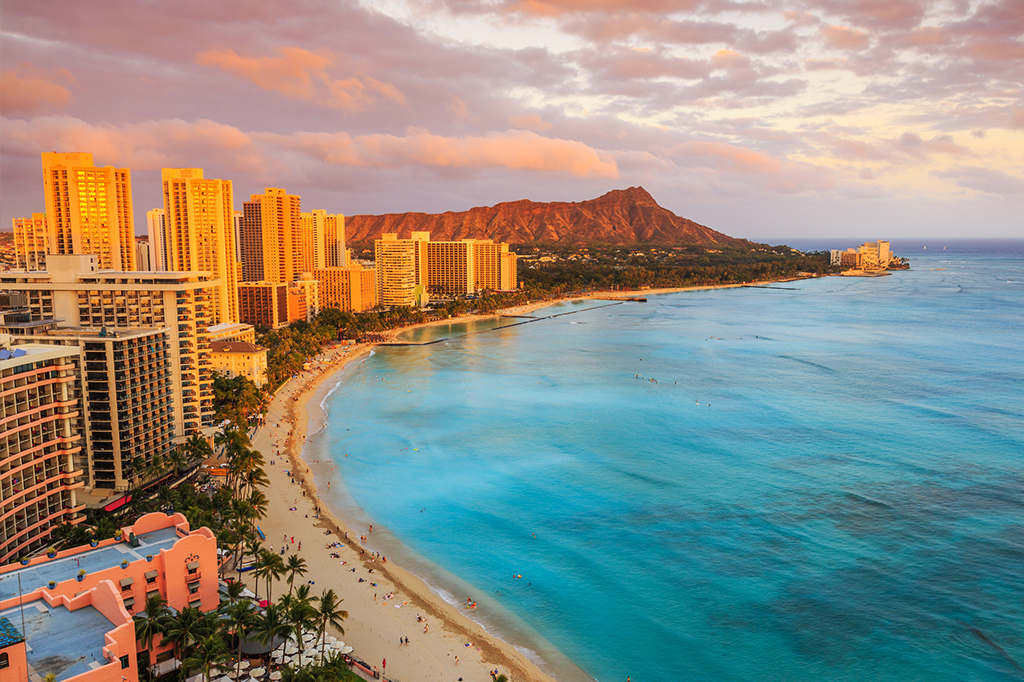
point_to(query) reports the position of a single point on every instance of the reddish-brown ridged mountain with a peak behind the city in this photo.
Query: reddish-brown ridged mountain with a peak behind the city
(620, 218)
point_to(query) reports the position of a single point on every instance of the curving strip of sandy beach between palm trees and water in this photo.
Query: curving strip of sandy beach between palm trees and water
(458, 647)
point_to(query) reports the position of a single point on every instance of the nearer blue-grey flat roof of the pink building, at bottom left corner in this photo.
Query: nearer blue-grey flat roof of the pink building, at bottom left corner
(63, 643)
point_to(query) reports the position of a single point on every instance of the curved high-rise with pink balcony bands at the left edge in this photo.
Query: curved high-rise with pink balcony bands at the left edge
(38, 445)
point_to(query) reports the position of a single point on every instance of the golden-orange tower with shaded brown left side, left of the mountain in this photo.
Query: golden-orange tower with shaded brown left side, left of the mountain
(272, 237)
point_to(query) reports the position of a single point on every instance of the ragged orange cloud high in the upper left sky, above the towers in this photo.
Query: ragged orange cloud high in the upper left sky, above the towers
(300, 73)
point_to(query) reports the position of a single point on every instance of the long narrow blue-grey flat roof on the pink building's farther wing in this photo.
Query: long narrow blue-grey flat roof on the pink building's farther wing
(93, 561)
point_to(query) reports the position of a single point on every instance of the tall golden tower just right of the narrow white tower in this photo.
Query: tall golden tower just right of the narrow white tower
(201, 234)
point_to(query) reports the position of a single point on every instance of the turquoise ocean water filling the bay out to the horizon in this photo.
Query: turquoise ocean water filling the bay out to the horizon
(826, 483)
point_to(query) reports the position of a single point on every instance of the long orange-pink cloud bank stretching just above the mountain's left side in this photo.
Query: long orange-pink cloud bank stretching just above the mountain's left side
(515, 150)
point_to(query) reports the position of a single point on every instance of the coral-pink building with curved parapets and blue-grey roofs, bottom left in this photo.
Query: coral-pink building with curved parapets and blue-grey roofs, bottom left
(158, 555)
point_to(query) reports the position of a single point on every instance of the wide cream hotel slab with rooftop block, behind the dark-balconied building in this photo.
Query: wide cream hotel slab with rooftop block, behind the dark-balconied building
(79, 295)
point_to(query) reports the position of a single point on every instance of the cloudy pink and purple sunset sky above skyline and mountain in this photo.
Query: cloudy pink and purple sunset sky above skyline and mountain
(769, 119)
